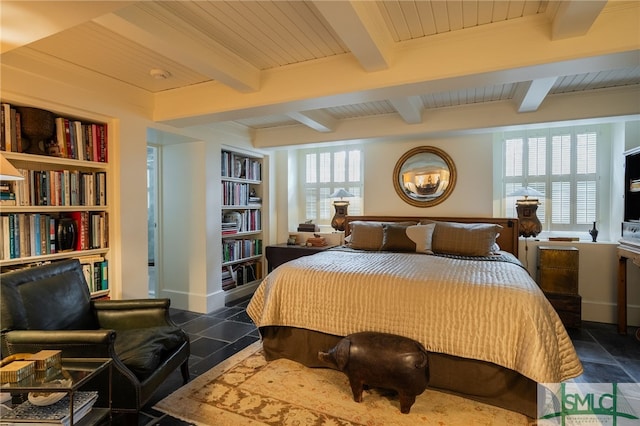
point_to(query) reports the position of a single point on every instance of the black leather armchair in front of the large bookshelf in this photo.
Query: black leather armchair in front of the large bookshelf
(49, 307)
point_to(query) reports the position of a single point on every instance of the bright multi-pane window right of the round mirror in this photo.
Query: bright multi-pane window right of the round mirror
(560, 163)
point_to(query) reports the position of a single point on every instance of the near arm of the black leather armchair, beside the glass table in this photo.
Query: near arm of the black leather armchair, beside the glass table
(72, 343)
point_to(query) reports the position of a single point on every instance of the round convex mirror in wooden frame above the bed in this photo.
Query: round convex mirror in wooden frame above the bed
(424, 176)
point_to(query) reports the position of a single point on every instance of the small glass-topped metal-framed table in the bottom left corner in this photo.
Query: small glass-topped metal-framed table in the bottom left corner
(72, 375)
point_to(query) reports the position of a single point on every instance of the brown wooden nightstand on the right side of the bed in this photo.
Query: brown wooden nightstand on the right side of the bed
(558, 279)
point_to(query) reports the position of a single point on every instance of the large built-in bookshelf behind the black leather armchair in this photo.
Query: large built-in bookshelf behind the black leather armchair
(66, 173)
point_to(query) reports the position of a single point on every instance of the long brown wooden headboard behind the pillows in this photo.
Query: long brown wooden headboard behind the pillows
(507, 240)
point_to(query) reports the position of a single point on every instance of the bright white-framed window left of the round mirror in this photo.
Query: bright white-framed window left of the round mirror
(324, 171)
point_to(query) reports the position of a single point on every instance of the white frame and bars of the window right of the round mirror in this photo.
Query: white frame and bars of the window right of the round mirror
(577, 226)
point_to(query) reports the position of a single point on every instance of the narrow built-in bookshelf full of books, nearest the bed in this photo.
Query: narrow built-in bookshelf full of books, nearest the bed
(242, 220)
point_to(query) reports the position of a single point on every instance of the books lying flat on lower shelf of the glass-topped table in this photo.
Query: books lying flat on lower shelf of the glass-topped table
(27, 413)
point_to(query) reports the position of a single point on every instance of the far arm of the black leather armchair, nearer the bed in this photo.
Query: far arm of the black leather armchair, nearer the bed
(132, 313)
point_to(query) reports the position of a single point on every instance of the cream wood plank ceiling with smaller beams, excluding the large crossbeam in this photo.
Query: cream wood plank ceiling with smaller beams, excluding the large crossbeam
(235, 43)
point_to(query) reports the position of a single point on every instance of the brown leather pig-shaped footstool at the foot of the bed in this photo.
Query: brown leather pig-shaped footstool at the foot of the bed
(381, 360)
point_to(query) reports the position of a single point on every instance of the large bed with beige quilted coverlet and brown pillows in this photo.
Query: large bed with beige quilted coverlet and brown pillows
(453, 284)
